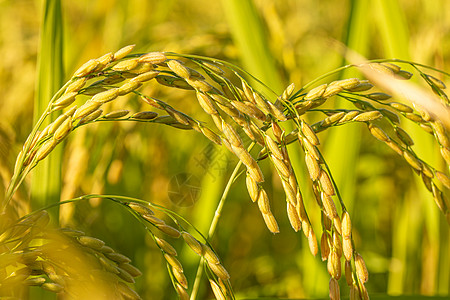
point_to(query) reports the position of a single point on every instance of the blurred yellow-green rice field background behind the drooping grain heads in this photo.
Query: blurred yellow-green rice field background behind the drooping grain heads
(397, 226)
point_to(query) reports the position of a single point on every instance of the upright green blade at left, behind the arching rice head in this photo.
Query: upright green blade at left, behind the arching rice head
(46, 177)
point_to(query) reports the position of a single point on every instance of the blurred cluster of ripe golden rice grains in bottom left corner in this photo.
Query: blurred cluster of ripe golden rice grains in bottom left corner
(58, 261)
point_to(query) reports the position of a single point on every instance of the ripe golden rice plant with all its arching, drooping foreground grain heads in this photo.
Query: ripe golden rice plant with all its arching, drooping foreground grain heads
(251, 126)
